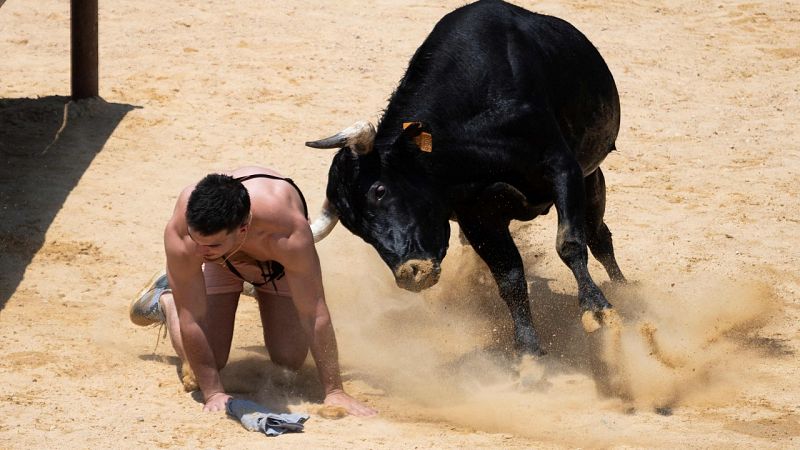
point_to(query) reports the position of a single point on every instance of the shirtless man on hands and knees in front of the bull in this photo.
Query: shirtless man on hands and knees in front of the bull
(246, 225)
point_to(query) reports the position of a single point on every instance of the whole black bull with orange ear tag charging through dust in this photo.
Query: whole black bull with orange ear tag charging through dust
(501, 114)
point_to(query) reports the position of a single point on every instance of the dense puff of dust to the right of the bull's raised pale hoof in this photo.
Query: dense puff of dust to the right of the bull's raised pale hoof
(694, 344)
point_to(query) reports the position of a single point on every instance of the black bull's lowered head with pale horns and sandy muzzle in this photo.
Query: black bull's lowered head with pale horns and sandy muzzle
(380, 193)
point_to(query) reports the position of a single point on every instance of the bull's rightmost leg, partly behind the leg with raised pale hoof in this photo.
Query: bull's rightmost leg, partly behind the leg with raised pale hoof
(598, 235)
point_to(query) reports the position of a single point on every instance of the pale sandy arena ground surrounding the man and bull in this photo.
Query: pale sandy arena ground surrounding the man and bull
(702, 201)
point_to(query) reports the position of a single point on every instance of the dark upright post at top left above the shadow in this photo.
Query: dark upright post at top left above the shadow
(83, 18)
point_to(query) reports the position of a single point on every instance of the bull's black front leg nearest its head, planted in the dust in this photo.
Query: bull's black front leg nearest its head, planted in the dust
(494, 244)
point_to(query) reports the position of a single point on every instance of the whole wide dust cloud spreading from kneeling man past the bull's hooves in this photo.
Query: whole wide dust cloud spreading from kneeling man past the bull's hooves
(445, 355)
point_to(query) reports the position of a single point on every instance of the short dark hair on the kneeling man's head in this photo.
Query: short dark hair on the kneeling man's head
(218, 202)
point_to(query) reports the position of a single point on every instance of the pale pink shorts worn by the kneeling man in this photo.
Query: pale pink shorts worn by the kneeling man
(220, 280)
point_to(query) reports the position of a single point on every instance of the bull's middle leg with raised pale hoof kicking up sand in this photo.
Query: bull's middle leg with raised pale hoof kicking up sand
(570, 203)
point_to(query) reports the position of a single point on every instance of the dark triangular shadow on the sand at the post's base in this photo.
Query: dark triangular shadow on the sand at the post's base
(46, 144)
